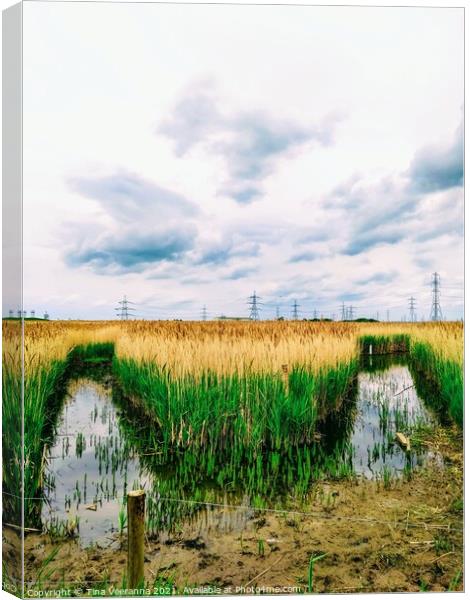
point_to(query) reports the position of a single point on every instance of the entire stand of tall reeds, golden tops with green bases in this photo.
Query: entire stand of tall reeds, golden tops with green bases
(255, 385)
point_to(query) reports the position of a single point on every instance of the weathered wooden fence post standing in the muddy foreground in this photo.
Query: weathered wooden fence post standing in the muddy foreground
(136, 535)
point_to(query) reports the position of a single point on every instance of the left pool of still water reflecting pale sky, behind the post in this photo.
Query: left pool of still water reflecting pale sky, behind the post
(90, 466)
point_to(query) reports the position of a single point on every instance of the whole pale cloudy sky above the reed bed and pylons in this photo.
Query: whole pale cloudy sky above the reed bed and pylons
(189, 155)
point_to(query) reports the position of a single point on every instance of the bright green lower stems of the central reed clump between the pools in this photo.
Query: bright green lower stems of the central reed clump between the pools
(255, 410)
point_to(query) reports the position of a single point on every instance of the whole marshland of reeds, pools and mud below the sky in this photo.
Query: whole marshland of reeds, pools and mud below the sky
(268, 452)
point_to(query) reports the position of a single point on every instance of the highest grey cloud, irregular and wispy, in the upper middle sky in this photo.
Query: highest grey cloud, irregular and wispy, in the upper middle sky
(249, 141)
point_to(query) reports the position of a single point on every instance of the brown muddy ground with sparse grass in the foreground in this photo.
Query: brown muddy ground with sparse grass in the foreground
(406, 538)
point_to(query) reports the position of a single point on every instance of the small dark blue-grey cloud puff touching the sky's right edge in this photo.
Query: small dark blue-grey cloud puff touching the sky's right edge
(436, 168)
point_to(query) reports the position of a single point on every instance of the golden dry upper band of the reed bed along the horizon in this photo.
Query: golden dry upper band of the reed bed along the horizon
(224, 347)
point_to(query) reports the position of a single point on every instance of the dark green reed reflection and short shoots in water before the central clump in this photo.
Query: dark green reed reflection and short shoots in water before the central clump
(184, 480)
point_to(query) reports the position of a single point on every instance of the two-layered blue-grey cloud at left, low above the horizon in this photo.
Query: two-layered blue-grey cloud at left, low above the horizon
(121, 247)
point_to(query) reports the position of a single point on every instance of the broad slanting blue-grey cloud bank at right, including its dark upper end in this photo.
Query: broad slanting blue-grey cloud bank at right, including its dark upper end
(394, 208)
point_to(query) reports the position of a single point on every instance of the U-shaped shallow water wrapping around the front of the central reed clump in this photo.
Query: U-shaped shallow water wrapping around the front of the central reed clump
(105, 446)
